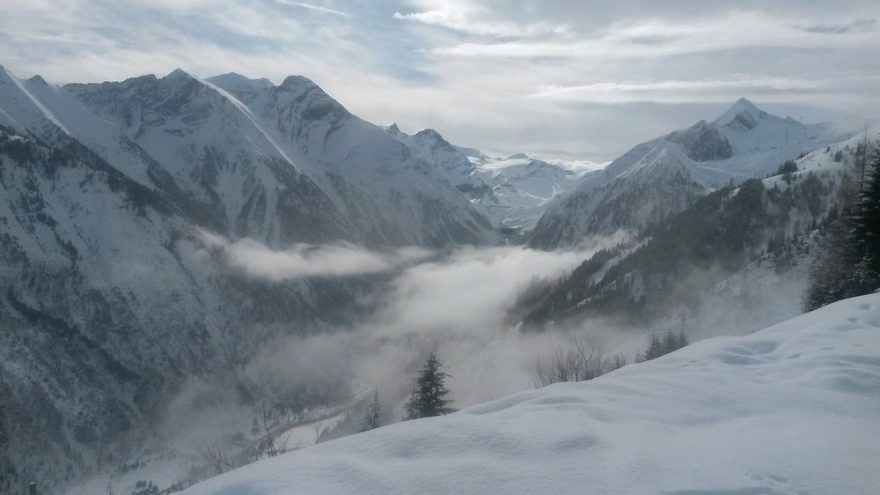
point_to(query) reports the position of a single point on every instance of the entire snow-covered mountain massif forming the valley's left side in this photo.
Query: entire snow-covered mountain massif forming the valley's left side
(114, 295)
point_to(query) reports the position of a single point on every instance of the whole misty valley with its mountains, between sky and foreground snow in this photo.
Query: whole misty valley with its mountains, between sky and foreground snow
(198, 274)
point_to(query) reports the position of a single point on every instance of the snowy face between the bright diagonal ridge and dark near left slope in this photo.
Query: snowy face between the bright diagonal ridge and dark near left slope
(180, 139)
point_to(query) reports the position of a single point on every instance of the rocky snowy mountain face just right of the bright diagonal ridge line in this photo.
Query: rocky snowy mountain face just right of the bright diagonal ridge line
(391, 196)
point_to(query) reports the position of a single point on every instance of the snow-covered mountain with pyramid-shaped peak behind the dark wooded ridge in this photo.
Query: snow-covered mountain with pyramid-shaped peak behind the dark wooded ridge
(666, 174)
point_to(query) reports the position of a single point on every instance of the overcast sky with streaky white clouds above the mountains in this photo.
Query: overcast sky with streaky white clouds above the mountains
(574, 79)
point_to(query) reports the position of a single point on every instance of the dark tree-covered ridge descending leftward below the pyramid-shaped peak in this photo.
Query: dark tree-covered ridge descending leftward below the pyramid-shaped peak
(719, 234)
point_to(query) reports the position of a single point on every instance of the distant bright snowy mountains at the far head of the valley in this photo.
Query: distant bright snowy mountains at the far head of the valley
(512, 192)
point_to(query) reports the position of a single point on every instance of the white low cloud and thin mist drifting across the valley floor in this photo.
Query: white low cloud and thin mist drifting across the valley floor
(457, 304)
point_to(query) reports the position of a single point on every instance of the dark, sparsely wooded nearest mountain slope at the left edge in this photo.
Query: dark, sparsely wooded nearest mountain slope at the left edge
(111, 301)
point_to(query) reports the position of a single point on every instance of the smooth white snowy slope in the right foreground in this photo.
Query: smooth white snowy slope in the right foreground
(791, 409)
